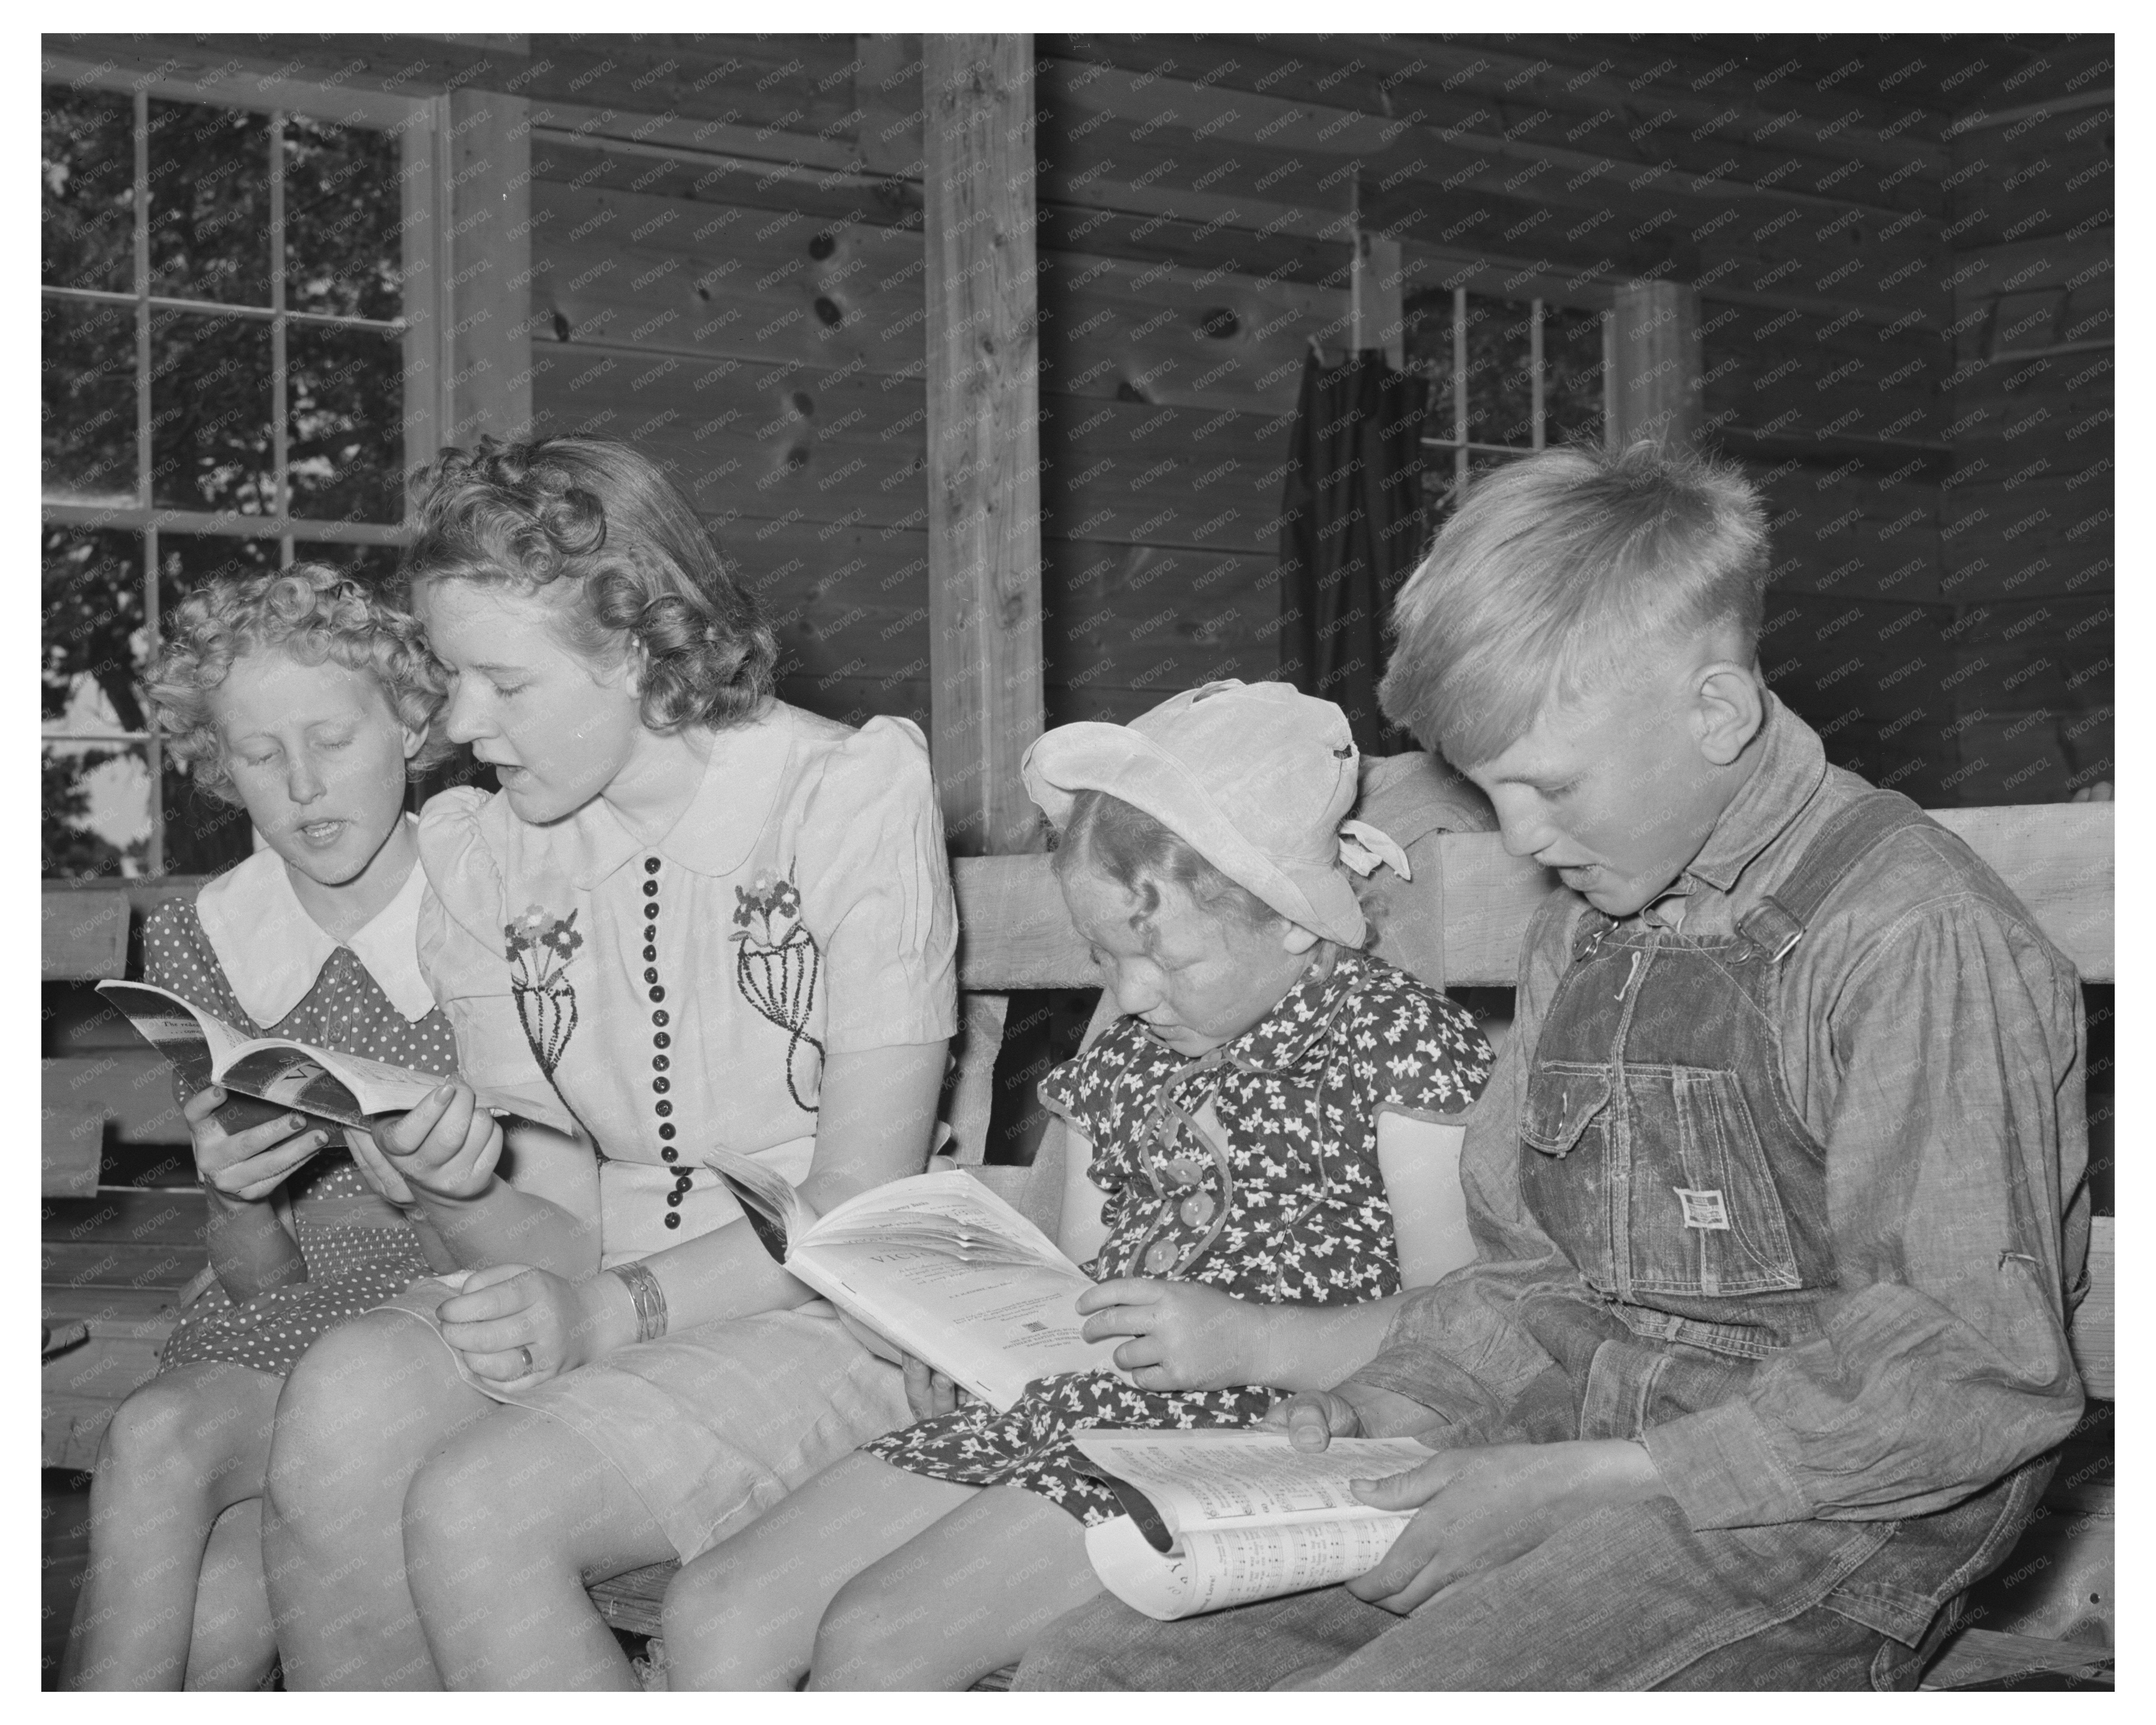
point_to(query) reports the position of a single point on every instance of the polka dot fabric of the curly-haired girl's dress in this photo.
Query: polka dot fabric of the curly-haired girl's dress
(350, 1267)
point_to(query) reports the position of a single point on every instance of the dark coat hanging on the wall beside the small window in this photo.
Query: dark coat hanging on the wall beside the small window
(1351, 532)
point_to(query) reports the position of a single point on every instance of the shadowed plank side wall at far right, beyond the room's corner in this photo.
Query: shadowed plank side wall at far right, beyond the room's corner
(2028, 523)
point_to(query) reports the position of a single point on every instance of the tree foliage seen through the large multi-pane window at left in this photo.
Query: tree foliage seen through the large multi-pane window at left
(221, 389)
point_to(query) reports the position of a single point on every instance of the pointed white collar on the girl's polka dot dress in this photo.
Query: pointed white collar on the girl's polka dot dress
(273, 952)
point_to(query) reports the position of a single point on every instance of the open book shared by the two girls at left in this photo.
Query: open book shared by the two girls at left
(277, 1071)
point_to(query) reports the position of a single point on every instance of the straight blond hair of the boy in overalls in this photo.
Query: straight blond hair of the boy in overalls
(1556, 575)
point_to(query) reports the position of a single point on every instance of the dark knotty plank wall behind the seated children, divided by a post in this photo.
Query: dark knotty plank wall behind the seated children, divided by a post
(728, 268)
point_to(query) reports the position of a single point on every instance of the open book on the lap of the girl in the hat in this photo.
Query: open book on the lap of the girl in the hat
(941, 1267)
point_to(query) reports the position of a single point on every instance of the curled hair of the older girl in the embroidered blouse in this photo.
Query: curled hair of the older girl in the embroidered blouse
(605, 527)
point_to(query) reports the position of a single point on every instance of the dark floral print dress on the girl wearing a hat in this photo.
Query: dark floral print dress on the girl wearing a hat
(1288, 1206)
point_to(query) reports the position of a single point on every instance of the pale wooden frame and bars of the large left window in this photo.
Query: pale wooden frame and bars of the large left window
(419, 124)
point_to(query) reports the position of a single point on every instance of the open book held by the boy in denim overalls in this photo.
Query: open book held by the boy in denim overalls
(1221, 1519)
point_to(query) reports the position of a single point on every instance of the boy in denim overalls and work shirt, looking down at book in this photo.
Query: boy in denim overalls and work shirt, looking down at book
(1778, 1187)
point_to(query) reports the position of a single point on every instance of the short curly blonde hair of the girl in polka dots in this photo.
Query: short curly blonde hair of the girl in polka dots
(309, 613)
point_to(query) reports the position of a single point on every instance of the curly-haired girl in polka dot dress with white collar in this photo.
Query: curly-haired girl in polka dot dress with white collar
(303, 700)
